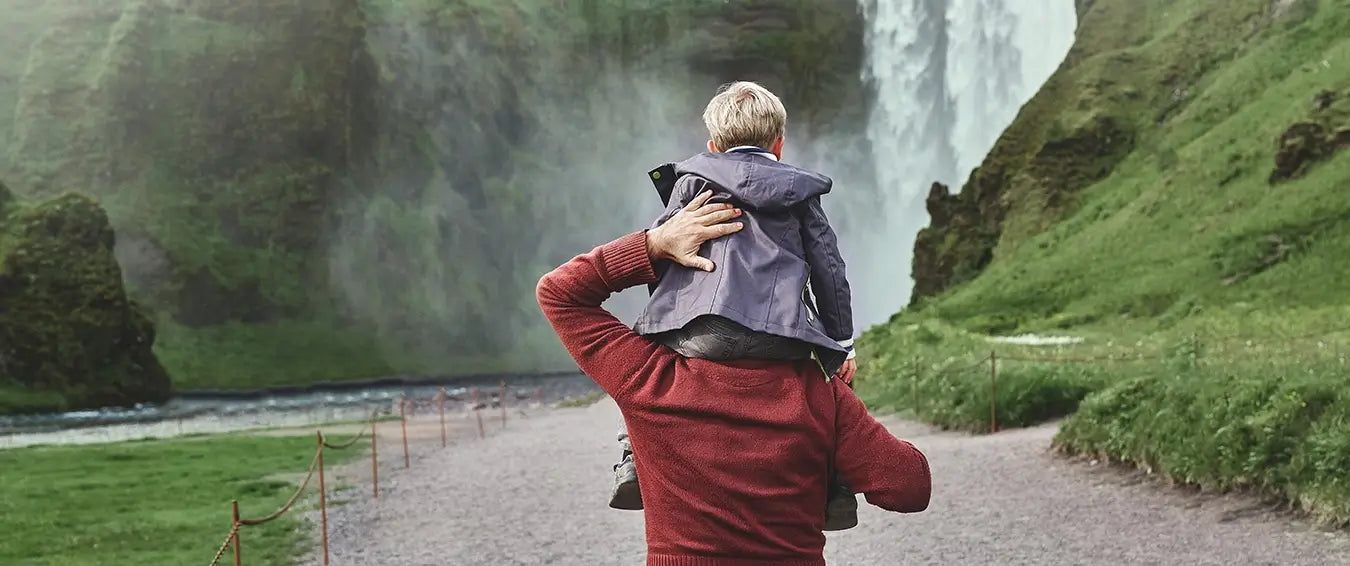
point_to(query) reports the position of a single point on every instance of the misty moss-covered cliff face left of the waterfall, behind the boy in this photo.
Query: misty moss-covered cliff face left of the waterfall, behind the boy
(396, 172)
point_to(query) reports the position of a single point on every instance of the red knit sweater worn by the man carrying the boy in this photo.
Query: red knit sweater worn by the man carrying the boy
(734, 459)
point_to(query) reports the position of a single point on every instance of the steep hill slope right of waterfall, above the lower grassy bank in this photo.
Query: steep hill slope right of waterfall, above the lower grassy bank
(1183, 161)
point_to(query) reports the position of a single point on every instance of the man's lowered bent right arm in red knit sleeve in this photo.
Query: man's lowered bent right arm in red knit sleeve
(892, 473)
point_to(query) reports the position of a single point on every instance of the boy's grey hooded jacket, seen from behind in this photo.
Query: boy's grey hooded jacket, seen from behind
(763, 272)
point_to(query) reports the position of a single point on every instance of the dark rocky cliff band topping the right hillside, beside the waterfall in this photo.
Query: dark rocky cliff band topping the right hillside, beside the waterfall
(1124, 76)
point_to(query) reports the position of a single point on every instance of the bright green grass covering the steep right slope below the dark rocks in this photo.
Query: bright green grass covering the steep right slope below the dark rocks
(1187, 221)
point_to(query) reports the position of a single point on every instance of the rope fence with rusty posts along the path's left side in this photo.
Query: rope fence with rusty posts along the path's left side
(407, 407)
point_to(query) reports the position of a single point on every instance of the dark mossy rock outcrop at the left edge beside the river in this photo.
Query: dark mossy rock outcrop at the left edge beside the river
(67, 325)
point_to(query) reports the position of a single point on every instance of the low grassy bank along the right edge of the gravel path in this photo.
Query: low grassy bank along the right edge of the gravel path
(1206, 406)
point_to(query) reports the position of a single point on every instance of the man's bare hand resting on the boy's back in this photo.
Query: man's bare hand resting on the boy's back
(680, 238)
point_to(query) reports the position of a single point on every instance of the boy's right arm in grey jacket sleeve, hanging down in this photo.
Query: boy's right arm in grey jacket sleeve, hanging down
(830, 283)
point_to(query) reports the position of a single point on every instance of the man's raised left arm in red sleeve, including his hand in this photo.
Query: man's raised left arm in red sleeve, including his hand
(604, 348)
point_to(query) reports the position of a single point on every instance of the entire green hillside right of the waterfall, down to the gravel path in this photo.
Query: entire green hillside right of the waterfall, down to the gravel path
(1178, 197)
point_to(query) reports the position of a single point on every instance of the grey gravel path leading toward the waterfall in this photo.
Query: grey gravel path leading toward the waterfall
(535, 495)
